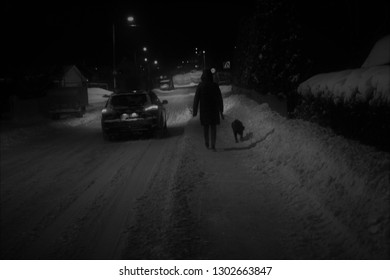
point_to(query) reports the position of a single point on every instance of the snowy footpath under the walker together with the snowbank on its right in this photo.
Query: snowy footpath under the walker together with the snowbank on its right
(290, 190)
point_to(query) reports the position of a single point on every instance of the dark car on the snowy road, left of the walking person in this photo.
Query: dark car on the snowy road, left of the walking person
(135, 112)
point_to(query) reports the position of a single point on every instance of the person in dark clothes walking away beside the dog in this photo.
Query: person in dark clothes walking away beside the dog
(208, 98)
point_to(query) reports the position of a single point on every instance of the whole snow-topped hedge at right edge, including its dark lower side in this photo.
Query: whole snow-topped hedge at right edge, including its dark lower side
(354, 102)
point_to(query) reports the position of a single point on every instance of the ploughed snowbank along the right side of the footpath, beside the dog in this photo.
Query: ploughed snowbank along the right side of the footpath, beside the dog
(351, 181)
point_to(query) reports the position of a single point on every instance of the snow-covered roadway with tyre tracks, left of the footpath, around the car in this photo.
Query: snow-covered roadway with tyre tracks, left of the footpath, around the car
(71, 195)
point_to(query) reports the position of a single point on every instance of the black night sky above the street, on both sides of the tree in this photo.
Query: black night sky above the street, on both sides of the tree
(73, 32)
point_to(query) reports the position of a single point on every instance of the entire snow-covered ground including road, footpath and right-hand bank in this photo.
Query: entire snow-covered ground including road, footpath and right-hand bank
(290, 190)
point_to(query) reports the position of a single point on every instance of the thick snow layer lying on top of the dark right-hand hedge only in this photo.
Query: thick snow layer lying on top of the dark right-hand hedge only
(351, 86)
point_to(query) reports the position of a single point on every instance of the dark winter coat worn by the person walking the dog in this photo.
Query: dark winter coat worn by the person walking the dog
(209, 97)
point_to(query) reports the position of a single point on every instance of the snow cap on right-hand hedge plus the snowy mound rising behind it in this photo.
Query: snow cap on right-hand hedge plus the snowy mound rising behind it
(368, 84)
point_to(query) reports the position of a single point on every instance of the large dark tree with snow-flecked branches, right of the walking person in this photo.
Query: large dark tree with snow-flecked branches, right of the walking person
(269, 54)
